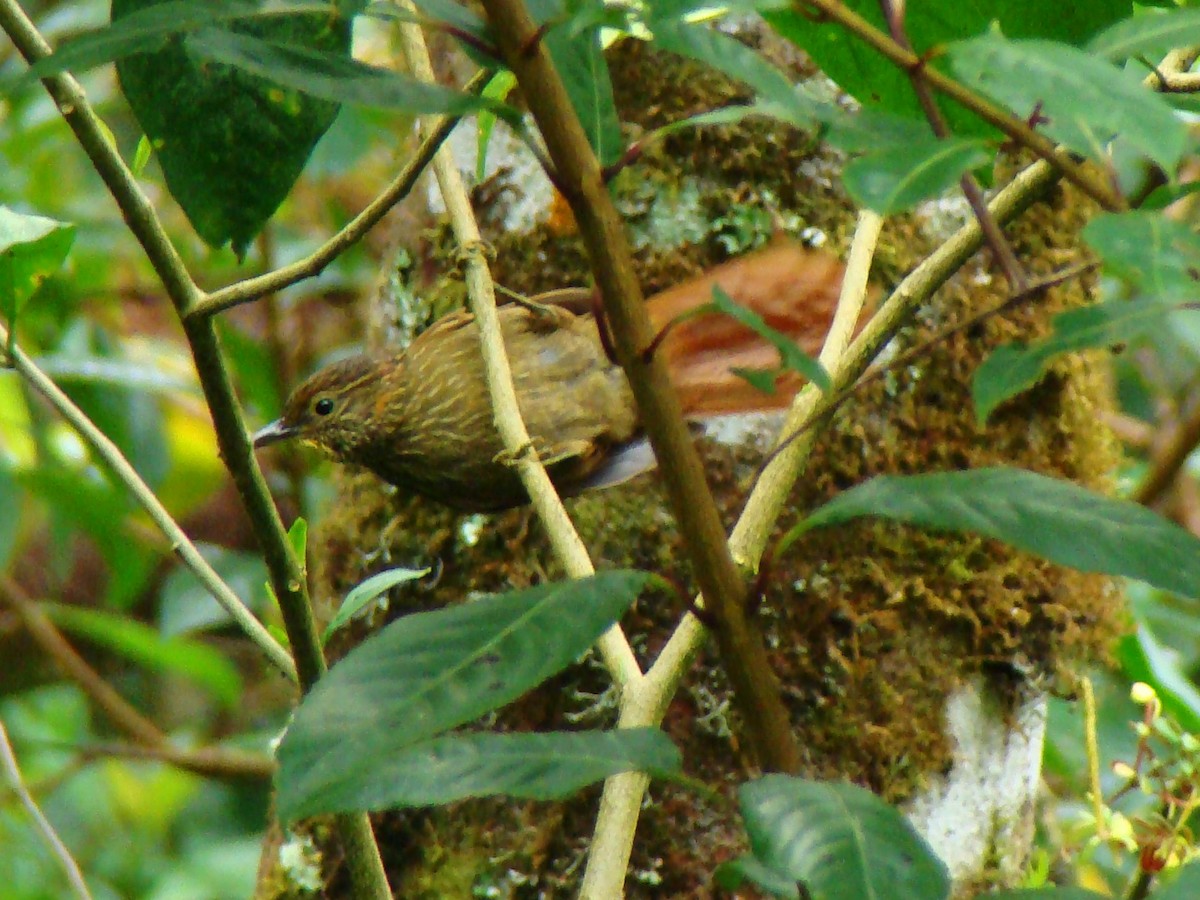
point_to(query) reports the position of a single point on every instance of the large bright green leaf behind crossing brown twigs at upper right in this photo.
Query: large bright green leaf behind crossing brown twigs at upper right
(931, 26)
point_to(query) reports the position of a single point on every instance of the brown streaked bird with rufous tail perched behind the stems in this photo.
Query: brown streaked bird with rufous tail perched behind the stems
(422, 418)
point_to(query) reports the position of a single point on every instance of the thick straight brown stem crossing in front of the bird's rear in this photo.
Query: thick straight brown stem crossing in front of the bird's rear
(743, 653)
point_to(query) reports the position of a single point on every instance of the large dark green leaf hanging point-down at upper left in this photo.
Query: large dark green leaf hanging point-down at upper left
(231, 143)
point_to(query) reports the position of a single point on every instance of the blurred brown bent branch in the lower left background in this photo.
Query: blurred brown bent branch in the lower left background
(209, 763)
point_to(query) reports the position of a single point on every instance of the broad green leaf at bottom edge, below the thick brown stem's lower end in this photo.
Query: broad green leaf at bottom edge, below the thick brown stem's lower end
(839, 841)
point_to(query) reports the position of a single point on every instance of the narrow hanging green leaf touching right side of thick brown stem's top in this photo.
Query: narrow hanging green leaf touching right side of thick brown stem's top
(580, 62)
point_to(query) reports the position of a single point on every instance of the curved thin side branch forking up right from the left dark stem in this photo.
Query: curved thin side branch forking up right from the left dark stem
(250, 290)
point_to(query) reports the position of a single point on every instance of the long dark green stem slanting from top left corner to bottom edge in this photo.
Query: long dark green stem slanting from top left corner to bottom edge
(289, 581)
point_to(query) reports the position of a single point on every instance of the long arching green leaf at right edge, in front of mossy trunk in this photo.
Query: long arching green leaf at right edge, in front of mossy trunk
(1049, 518)
